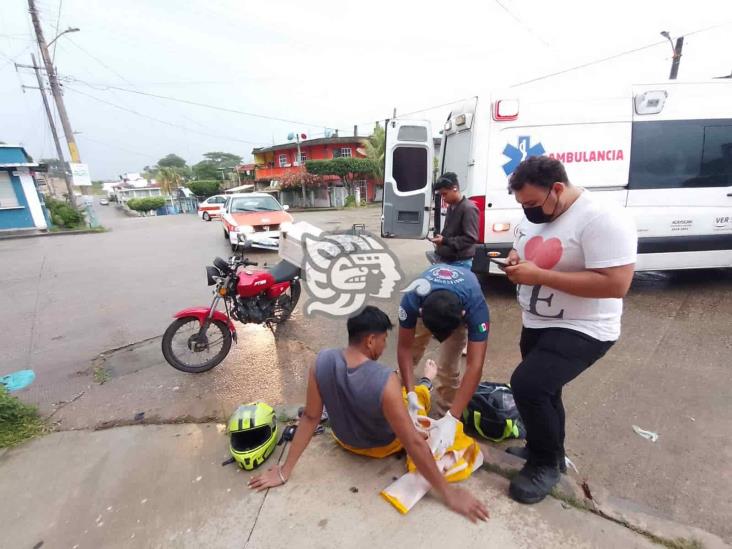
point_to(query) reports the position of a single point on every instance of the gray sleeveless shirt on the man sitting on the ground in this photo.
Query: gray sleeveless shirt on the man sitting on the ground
(352, 397)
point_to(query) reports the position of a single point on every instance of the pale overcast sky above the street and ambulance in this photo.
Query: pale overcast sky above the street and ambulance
(319, 64)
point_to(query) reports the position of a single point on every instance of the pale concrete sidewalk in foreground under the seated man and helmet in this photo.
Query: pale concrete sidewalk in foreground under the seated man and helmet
(164, 486)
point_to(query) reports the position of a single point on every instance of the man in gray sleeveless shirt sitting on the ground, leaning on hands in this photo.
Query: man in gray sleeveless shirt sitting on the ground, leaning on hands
(365, 404)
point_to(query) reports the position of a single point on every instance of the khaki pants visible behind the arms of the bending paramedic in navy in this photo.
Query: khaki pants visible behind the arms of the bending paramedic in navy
(448, 364)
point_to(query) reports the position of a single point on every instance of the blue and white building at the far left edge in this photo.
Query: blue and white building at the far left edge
(20, 202)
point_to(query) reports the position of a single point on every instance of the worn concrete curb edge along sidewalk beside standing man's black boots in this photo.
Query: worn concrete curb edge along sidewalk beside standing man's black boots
(576, 491)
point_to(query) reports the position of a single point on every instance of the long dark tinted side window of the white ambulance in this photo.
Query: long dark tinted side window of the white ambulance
(681, 153)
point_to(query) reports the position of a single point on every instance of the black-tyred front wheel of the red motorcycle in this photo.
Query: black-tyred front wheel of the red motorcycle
(188, 351)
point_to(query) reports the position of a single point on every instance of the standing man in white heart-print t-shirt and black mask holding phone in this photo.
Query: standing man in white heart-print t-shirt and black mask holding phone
(573, 262)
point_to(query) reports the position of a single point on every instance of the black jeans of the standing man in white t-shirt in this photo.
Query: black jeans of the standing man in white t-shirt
(552, 357)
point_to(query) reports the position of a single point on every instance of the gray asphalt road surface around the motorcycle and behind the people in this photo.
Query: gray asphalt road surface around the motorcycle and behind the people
(69, 298)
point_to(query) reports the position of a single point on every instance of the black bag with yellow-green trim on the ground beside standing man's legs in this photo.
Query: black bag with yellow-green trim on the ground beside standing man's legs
(492, 413)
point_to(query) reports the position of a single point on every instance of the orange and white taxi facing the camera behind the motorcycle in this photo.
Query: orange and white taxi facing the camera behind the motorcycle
(254, 220)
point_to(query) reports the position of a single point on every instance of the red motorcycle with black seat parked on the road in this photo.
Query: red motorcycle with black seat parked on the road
(200, 337)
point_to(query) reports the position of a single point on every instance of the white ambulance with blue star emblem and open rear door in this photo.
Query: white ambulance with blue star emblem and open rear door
(664, 151)
